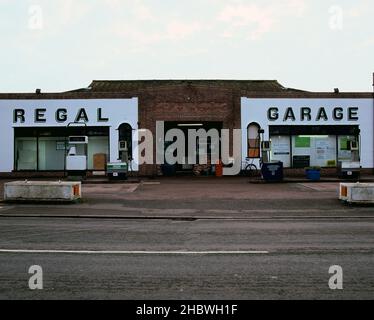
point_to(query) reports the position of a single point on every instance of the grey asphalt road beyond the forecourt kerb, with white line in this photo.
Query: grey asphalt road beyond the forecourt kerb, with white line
(253, 257)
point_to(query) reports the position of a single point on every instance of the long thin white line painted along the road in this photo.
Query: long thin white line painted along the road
(136, 252)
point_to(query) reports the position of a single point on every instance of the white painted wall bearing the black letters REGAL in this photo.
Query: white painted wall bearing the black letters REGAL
(117, 110)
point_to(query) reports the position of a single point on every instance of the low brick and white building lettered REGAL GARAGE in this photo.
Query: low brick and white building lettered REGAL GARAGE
(305, 128)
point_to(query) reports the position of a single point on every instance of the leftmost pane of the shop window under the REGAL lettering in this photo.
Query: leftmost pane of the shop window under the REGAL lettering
(26, 153)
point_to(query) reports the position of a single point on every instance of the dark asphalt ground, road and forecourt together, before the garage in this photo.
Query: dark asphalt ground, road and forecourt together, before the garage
(190, 240)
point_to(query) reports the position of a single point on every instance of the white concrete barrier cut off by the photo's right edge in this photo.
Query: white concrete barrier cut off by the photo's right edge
(357, 193)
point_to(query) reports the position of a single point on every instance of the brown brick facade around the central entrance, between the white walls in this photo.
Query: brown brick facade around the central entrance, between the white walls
(187, 103)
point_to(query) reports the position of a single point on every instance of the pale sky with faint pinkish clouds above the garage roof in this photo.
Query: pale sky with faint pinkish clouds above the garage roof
(59, 45)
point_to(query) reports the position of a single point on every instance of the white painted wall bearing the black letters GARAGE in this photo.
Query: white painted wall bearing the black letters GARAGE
(255, 110)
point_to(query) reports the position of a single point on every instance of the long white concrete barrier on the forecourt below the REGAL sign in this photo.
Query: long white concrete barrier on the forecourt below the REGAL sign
(42, 191)
